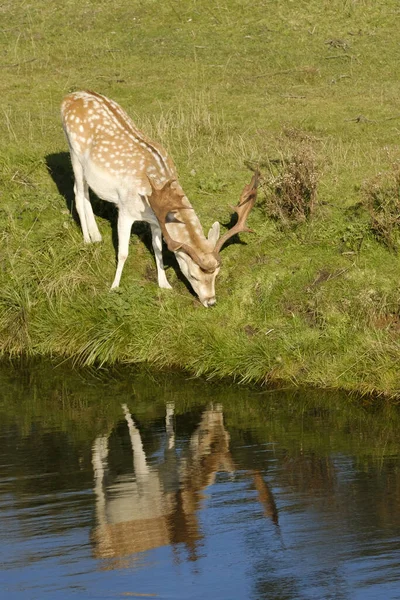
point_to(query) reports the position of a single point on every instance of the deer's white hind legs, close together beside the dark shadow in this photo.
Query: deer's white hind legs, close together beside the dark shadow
(84, 208)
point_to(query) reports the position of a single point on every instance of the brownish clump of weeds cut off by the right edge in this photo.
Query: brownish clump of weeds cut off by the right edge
(381, 197)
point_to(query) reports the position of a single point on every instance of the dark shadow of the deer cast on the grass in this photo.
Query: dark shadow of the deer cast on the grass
(60, 170)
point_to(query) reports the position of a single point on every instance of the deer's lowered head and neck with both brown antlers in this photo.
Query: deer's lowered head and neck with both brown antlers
(198, 257)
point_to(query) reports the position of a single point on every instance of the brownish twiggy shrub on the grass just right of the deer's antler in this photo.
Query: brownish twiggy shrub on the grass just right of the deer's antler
(291, 194)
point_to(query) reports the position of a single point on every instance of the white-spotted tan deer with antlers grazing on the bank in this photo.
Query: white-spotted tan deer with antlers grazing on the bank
(110, 155)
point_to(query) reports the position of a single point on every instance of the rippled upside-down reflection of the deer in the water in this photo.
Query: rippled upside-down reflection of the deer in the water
(158, 505)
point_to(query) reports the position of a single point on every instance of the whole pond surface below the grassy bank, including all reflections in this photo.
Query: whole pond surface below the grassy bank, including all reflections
(132, 485)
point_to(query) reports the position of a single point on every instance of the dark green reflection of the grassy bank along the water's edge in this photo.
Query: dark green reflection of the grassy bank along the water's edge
(88, 401)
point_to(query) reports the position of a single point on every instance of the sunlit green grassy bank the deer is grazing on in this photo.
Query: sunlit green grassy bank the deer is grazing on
(312, 301)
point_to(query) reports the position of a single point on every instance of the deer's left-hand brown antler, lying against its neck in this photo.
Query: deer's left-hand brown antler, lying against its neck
(162, 204)
